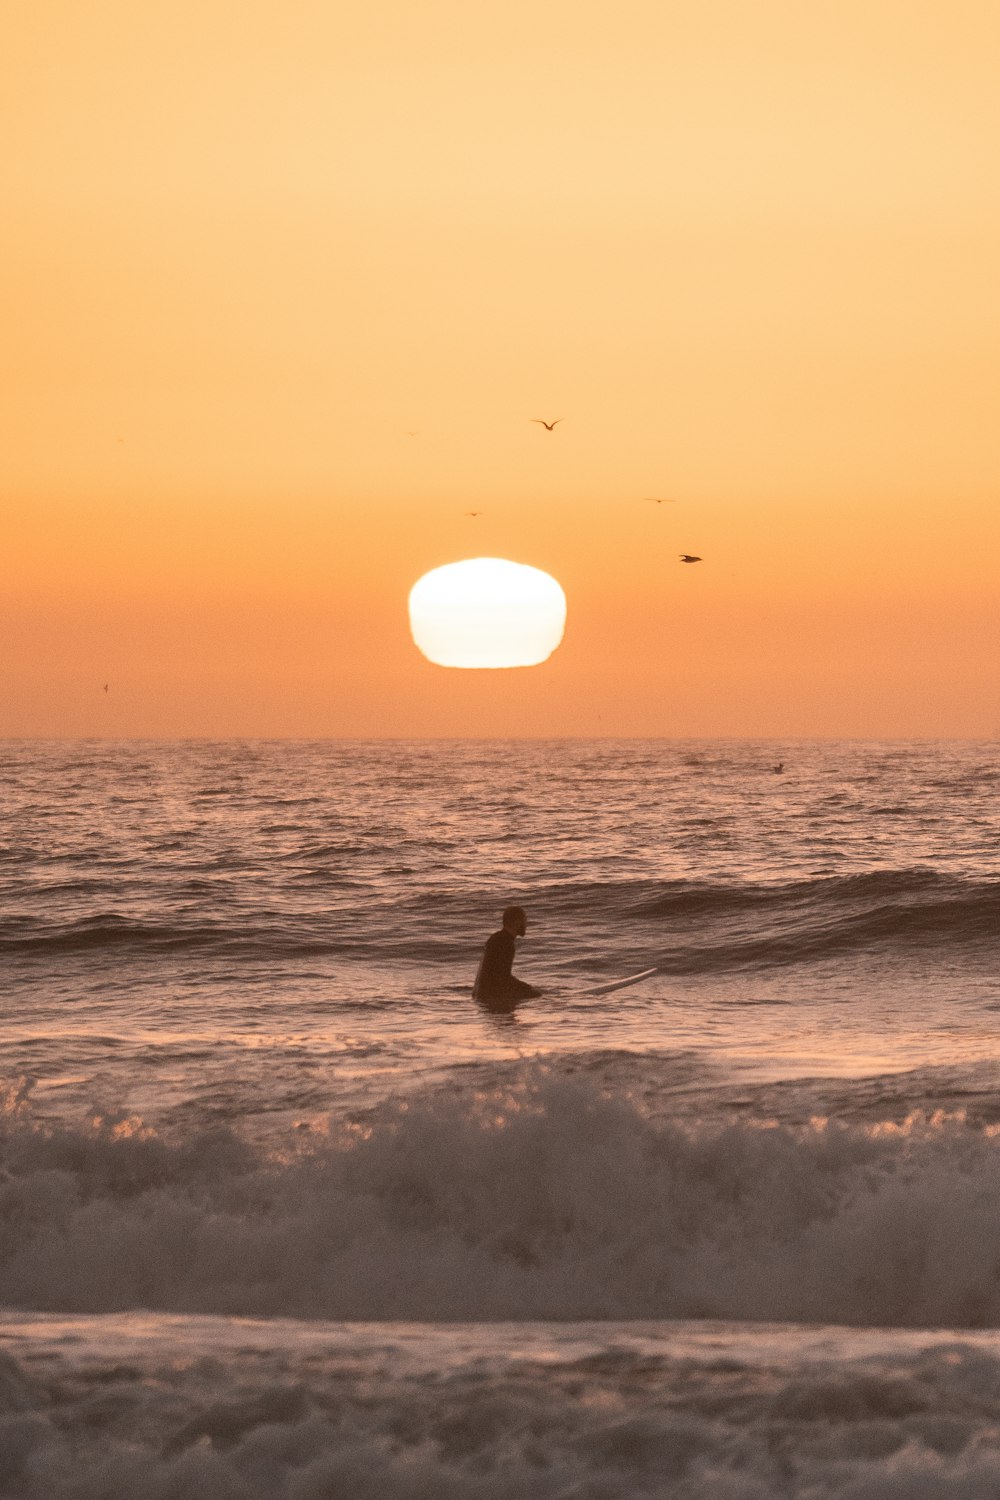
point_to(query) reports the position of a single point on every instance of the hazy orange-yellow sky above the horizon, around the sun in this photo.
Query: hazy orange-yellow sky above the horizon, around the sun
(749, 253)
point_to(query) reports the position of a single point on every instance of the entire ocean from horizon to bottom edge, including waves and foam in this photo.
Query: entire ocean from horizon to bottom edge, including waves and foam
(286, 1214)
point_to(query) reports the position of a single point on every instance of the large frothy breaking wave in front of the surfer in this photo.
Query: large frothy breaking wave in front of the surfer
(542, 1199)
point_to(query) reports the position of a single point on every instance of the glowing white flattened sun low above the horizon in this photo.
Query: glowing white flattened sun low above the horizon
(487, 613)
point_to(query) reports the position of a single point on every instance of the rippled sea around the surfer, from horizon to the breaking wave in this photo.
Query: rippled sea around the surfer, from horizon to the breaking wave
(269, 928)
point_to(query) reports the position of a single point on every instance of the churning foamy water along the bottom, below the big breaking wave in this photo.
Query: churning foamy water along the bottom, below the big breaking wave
(199, 1409)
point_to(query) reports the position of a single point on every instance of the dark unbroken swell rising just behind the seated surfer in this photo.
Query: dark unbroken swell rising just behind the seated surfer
(681, 926)
